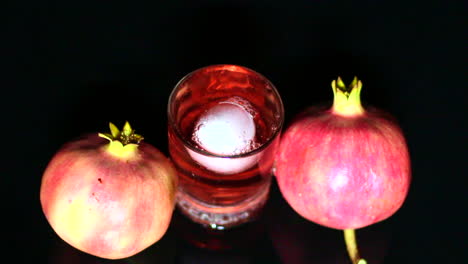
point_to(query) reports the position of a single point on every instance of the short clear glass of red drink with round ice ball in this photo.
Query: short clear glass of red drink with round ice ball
(224, 126)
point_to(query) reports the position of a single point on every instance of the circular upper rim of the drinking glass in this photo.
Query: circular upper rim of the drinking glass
(203, 152)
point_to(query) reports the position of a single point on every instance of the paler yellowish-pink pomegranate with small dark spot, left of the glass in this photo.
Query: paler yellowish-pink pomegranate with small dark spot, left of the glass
(109, 199)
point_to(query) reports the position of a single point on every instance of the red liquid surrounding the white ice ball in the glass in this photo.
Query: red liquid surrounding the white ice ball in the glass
(215, 199)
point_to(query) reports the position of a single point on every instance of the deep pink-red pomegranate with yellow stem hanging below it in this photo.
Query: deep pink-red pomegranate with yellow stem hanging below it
(344, 167)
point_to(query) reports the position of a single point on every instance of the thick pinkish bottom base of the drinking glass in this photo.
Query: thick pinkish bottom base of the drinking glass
(221, 217)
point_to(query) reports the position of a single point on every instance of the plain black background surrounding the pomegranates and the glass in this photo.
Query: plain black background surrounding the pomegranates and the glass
(71, 67)
